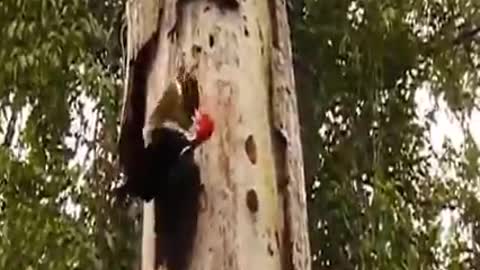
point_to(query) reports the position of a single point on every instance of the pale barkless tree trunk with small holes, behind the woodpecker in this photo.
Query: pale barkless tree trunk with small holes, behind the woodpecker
(253, 207)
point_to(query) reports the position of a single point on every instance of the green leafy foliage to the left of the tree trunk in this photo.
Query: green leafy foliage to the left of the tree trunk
(59, 99)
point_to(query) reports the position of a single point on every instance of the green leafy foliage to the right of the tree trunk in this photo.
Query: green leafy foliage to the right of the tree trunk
(375, 199)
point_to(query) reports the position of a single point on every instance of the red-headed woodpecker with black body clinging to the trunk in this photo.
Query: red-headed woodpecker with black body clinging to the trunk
(173, 139)
